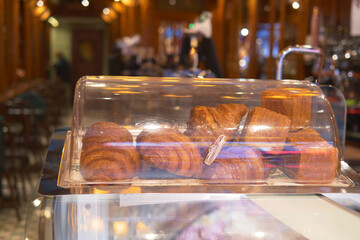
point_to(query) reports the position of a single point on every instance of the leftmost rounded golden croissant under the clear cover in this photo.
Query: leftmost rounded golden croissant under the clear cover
(108, 153)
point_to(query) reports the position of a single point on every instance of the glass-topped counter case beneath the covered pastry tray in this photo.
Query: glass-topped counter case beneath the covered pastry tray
(58, 213)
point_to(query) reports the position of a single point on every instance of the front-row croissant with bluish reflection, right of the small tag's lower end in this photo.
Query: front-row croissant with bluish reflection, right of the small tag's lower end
(236, 164)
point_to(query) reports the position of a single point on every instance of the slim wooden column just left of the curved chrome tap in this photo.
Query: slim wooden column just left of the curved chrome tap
(253, 20)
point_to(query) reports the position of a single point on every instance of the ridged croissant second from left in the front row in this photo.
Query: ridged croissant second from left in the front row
(170, 150)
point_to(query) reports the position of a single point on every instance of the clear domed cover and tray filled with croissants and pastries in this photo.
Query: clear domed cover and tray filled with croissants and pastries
(144, 131)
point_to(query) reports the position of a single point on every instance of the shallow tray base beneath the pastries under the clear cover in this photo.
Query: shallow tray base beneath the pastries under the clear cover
(277, 182)
